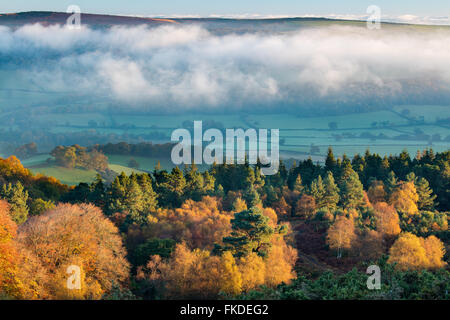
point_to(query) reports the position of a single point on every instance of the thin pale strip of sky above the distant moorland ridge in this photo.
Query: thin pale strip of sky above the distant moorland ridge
(421, 8)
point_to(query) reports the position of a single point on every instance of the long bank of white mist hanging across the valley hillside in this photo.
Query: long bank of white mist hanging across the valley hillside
(180, 67)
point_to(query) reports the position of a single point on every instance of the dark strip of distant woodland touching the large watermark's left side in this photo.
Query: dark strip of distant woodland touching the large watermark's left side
(143, 149)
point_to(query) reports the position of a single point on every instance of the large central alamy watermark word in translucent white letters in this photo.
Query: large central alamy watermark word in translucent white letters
(214, 151)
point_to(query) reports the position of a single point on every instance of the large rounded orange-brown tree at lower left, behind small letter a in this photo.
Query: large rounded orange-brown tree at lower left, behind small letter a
(76, 235)
